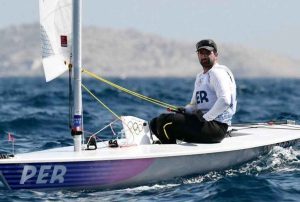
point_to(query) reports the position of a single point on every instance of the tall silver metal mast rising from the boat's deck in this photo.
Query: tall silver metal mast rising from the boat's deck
(77, 118)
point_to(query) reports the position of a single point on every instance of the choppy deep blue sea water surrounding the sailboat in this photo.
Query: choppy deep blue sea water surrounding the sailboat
(37, 114)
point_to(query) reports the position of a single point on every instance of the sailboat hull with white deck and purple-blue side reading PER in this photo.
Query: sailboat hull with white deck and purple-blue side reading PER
(140, 164)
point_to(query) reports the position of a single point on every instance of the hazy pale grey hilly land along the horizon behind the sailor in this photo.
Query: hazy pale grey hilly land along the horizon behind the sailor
(129, 53)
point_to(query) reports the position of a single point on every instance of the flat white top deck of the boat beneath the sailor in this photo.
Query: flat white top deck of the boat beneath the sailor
(241, 137)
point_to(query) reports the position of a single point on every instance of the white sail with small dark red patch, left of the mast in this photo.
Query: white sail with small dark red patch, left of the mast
(56, 30)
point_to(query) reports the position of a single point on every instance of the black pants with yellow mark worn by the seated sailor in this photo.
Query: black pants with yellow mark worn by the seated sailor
(187, 127)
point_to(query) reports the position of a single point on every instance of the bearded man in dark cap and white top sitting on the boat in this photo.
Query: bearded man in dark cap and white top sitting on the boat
(207, 117)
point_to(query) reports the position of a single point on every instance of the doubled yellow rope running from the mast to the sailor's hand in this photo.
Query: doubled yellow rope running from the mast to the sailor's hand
(154, 101)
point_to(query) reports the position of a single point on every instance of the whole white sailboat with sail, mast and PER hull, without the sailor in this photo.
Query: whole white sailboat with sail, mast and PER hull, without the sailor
(107, 167)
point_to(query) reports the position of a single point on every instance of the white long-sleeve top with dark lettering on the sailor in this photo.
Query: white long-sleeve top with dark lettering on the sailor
(215, 94)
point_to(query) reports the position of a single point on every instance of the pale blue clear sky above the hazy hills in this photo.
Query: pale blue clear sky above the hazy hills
(270, 25)
